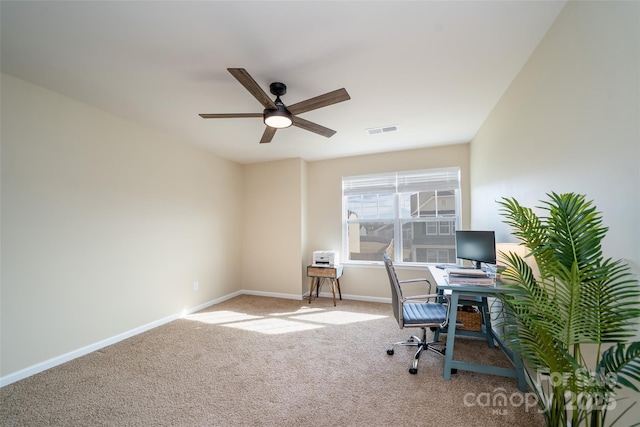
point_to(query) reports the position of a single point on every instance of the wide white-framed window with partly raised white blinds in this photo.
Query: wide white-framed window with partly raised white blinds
(412, 216)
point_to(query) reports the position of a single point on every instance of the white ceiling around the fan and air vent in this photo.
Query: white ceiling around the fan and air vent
(434, 68)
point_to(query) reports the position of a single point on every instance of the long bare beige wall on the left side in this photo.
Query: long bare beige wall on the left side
(105, 226)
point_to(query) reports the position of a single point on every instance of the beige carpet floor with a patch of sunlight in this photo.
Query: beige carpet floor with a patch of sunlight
(257, 361)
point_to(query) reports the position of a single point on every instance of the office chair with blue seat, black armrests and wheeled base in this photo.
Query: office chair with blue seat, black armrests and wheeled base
(419, 311)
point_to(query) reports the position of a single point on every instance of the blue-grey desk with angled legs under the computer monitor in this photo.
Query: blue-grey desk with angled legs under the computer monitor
(475, 291)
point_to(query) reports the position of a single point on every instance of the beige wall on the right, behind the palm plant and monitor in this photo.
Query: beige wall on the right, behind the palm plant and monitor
(570, 123)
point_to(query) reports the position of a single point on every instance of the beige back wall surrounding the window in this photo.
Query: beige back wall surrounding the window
(325, 207)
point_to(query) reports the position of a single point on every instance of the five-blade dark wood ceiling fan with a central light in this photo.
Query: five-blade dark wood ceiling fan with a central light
(276, 115)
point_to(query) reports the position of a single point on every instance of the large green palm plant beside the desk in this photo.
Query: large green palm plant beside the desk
(571, 304)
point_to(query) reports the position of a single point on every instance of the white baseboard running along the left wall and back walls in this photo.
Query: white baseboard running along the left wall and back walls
(59, 360)
